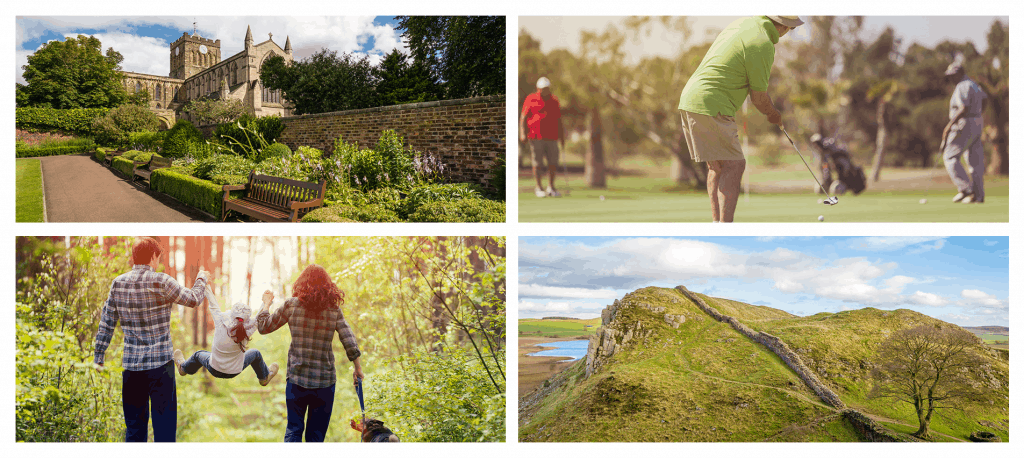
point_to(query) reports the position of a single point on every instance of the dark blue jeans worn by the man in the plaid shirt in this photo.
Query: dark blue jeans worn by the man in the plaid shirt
(139, 391)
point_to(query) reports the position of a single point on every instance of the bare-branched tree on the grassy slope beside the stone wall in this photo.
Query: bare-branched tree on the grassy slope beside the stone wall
(930, 368)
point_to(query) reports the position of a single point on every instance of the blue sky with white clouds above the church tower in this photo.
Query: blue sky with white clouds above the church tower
(145, 41)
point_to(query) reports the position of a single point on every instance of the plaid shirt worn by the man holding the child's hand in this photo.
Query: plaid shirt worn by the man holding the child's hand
(142, 301)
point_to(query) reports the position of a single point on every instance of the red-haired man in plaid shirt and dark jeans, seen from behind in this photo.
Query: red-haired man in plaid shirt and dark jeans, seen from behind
(142, 301)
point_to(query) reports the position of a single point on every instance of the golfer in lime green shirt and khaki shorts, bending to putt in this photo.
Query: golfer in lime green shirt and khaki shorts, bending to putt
(738, 65)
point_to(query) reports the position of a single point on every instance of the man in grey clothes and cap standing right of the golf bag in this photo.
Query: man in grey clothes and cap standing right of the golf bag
(963, 135)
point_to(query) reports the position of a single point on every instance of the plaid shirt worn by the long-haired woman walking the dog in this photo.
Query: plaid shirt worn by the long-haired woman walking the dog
(311, 357)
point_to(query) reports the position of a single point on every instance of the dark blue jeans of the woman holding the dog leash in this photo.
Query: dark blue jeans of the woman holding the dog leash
(318, 402)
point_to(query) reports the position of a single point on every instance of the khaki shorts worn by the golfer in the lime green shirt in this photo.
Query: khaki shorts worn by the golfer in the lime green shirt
(712, 138)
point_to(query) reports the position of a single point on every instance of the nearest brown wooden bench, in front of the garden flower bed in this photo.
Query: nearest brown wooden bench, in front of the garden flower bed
(274, 199)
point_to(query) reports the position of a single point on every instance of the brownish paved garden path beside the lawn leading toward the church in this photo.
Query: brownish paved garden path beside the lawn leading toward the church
(80, 190)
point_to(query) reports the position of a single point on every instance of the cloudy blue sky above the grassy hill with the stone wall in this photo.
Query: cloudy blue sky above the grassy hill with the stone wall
(962, 280)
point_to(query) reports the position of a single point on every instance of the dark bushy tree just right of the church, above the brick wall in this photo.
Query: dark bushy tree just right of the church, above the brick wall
(324, 82)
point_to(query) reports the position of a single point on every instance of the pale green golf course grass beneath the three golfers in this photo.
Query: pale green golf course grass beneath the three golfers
(659, 200)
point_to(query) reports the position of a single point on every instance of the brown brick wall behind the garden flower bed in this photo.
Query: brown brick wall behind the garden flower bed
(466, 135)
